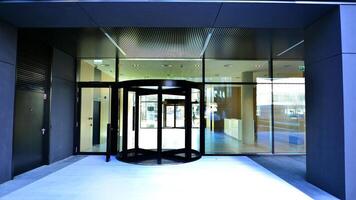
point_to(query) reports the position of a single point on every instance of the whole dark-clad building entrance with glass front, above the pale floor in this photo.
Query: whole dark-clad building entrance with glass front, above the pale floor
(252, 77)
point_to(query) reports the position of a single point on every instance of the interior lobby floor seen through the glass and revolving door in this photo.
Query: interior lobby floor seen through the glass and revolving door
(215, 142)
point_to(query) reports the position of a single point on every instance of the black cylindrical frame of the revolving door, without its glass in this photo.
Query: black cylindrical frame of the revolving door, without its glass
(181, 88)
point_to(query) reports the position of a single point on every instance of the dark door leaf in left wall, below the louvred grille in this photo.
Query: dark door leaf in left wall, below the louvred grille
(29, 131)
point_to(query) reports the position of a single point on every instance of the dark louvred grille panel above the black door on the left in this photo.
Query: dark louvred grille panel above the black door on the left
(33, 65)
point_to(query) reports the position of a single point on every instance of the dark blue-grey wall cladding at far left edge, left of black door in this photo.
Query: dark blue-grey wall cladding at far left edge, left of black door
(8, 44)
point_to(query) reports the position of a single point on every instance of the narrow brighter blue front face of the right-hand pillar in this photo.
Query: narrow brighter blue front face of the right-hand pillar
(348, 28)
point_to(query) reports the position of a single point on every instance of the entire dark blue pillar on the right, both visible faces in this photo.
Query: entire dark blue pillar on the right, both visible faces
(330, 102)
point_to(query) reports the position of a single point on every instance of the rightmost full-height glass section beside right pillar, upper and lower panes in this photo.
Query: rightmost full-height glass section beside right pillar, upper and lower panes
(289, 106)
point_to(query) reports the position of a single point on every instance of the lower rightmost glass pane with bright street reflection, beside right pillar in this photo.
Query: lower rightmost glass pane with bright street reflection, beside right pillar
(289, 115)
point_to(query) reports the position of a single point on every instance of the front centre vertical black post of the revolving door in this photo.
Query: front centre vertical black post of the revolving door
(159, 125)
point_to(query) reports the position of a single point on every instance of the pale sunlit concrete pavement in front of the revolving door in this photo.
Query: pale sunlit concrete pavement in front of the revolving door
(211, 177)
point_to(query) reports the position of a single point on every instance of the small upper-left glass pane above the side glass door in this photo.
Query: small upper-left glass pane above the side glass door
(101, 70)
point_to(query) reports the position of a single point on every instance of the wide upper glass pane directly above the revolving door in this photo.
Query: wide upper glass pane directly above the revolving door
(173, 69)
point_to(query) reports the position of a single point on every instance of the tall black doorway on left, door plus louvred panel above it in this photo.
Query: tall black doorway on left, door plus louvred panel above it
(31, 122)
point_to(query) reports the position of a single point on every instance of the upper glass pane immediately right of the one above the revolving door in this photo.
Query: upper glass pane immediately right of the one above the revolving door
(235, 70)
